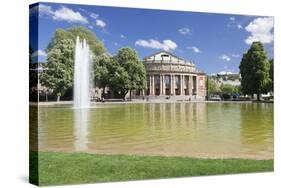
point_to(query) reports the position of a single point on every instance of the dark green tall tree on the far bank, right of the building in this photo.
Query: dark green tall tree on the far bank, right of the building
(254, 69)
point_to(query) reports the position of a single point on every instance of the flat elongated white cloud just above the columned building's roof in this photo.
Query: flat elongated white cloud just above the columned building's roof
(165, 44)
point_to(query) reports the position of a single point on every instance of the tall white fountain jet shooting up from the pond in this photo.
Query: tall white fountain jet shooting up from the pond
(82, 74)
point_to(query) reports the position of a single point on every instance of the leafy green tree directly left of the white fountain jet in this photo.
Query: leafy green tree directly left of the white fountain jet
(58, 75)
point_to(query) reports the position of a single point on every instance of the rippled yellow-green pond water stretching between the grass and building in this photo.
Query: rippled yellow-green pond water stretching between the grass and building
(215, 130)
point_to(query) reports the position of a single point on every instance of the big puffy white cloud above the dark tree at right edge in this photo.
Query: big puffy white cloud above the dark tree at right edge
(260, 29)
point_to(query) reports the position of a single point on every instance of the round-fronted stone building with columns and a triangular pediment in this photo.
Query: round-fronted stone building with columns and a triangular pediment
(169, 75)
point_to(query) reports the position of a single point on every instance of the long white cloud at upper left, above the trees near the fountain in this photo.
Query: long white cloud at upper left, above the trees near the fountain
(66, 14)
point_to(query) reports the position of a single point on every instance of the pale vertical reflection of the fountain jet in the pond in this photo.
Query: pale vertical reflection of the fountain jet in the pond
(81, 123)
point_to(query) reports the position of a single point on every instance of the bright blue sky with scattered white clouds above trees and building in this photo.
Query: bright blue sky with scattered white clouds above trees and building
(214, 42)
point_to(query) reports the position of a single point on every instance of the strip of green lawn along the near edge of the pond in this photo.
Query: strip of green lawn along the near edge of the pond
(73, 168)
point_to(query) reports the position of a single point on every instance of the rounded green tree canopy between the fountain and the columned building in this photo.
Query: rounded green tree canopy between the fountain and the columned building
(121, 73)
